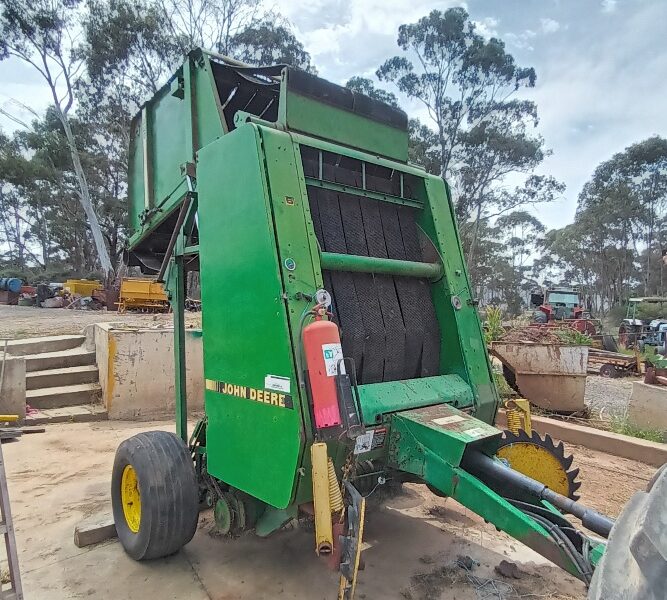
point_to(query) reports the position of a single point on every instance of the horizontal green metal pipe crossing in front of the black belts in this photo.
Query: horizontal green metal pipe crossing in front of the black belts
(334, 261)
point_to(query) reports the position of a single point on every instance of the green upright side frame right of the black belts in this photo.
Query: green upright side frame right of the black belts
(463, 351)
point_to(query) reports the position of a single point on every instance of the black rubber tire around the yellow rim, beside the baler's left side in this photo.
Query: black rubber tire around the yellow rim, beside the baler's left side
(169, 495)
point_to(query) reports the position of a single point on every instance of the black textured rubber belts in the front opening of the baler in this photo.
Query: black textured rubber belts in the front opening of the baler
(388, 324)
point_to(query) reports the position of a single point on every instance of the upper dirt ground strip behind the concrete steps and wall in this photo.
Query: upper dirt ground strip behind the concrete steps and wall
(17, 322)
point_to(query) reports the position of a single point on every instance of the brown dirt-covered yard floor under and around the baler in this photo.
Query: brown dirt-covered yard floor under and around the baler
(61, 476)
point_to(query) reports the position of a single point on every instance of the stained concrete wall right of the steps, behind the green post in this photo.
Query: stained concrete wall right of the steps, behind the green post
(136, 368)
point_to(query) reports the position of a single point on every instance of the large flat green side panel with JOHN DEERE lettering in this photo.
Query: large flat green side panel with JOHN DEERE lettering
(252, 445)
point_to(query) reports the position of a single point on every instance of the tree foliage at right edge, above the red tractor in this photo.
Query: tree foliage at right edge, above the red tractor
(614, 245)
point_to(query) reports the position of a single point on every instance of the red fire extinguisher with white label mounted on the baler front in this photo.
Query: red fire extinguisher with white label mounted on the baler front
(323, 353)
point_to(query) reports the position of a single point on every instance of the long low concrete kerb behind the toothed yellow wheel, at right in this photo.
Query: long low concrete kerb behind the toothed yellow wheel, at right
(650, 453)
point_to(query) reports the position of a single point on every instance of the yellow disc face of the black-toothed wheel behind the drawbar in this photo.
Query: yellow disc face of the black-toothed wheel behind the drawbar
(538, 463)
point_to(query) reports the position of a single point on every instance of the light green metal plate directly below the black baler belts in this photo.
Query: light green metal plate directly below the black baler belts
(377, 399)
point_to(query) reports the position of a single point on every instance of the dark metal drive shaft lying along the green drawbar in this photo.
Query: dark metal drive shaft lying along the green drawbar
(485, 468)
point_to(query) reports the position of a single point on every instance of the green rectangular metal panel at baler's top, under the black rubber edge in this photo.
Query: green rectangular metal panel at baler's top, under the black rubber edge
(325, 121)
